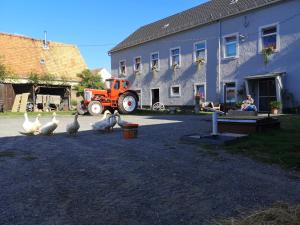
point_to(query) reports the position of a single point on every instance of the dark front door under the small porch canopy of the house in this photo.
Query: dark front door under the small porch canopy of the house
(267, 93)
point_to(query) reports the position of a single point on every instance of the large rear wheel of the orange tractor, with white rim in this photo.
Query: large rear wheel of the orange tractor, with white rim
(127, 103)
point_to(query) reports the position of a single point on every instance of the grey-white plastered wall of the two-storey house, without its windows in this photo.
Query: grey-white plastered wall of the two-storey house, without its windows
(249, 60)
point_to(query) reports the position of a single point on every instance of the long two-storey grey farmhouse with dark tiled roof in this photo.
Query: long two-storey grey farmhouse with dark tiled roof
(220, 50)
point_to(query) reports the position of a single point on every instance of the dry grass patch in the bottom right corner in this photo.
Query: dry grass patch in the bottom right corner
(278, 214)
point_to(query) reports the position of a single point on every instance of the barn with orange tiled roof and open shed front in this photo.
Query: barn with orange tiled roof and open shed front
(39, 68)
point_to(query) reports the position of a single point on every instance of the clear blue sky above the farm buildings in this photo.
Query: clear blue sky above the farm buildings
(94, 25)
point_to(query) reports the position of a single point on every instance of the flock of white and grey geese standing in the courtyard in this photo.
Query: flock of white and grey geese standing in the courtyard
(106, 123)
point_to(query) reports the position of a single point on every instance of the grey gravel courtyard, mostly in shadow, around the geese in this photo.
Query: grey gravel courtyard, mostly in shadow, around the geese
(100, 178)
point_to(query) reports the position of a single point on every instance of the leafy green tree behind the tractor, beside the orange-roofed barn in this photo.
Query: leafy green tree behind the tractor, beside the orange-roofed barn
(88, 80)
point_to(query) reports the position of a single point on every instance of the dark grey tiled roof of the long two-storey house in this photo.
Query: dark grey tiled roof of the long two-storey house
(200, 15)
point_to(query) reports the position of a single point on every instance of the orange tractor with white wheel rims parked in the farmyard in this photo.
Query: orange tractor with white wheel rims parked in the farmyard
(116, 95)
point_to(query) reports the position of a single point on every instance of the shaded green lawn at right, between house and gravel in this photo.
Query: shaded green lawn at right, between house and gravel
(276, 147)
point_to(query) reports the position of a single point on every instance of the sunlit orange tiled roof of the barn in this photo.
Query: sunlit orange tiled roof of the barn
(24, 55)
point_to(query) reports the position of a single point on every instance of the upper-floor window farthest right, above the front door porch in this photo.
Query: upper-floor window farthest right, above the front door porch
(269, 37)
